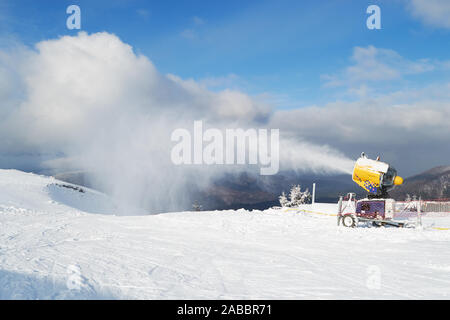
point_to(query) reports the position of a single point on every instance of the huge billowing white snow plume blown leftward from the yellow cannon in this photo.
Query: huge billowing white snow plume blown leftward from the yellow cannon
(90, 103)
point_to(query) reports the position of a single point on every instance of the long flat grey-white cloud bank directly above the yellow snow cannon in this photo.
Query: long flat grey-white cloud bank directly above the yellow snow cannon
(409, 128)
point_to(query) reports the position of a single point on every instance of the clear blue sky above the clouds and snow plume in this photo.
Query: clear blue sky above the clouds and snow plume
(281, 49)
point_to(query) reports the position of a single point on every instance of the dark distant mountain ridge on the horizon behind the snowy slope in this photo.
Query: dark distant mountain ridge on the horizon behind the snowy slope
(252, 191)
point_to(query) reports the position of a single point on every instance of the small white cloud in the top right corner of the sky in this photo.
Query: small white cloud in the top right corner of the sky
(432, 12)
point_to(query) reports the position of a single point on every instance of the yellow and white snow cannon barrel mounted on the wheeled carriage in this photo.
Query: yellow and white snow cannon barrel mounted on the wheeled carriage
(375, 176)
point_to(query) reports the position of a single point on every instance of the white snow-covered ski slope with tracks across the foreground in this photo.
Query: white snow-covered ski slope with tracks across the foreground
(59, 243)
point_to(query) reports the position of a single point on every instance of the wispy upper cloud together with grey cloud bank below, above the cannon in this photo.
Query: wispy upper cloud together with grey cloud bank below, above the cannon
(387, 114)
